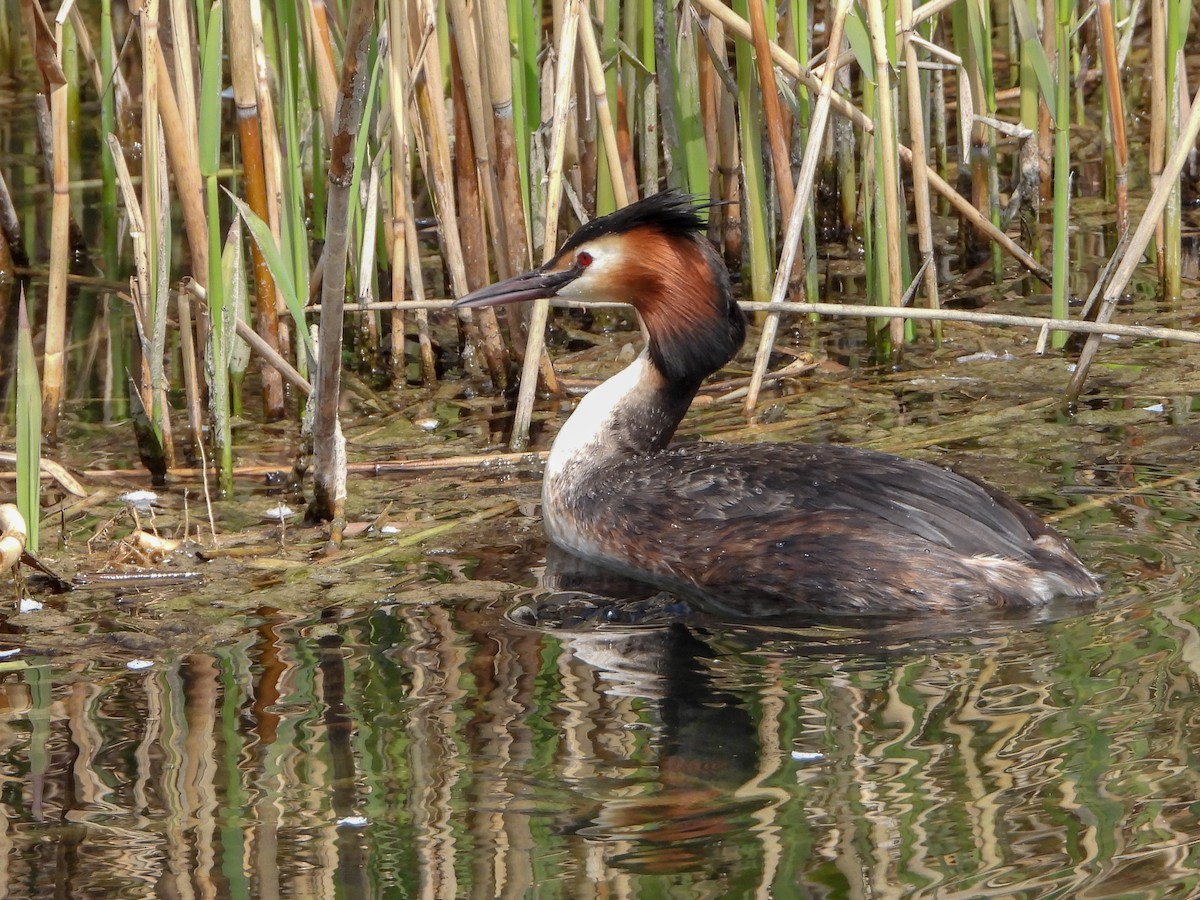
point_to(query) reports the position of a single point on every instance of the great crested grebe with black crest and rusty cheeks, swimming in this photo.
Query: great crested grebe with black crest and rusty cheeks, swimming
(767, 530)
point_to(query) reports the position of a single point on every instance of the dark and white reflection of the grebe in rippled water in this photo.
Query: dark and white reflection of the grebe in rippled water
(645, 645)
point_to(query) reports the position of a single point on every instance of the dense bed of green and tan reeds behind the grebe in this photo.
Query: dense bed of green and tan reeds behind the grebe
(268, 169)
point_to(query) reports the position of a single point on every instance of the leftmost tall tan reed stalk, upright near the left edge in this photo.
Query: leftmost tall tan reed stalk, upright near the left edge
(55, 358)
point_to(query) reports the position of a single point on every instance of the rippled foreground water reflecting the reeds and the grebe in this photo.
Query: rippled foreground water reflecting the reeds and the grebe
(593, 740)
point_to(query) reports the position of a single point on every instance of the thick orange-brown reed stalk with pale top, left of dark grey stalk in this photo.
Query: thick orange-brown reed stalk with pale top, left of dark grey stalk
(245, 92)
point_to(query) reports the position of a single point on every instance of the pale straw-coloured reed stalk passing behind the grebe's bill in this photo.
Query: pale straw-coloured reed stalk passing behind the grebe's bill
(535, 349)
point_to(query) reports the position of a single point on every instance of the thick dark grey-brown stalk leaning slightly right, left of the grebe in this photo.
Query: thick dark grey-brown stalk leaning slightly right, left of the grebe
(329, 448)
